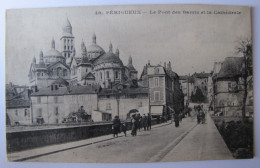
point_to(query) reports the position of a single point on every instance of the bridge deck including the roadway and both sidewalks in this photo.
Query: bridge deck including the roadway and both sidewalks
(164, 143)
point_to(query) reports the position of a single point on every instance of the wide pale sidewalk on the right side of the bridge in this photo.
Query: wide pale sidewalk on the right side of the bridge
(204, 142)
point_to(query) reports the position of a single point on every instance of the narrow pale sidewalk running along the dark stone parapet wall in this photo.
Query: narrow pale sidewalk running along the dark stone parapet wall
(41, 151)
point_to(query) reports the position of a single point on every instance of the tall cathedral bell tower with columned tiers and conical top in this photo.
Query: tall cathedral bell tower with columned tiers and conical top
(67, 40)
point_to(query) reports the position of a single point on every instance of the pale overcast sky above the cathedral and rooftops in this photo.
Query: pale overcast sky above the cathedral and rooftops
(192, 42)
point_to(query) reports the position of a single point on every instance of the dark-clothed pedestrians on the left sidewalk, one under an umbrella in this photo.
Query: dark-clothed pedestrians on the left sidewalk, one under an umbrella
(138, 122)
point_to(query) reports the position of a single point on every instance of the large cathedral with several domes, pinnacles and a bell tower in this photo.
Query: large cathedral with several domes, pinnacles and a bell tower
(91, 66)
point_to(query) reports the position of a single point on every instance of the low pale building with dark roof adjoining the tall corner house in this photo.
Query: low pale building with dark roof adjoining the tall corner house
(120, 100)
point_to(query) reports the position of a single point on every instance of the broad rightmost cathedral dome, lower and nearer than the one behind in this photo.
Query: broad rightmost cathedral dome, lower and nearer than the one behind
(109, 58)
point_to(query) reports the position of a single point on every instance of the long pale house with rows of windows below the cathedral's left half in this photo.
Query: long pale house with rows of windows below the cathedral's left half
(53, 104)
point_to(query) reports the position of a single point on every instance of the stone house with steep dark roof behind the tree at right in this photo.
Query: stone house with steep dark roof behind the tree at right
(229, 89)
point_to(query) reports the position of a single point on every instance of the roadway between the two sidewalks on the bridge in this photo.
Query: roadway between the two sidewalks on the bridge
(147, 146)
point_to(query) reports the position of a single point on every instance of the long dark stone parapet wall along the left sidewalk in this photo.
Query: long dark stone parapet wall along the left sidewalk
(24, 140)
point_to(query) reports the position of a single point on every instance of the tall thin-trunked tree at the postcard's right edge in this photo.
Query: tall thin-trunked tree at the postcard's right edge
(245, 48)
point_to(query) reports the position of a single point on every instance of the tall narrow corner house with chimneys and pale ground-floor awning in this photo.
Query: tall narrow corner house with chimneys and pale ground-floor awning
(165, 95)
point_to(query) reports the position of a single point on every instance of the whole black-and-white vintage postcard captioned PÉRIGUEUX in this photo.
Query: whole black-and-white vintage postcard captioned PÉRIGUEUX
(129, 84)
